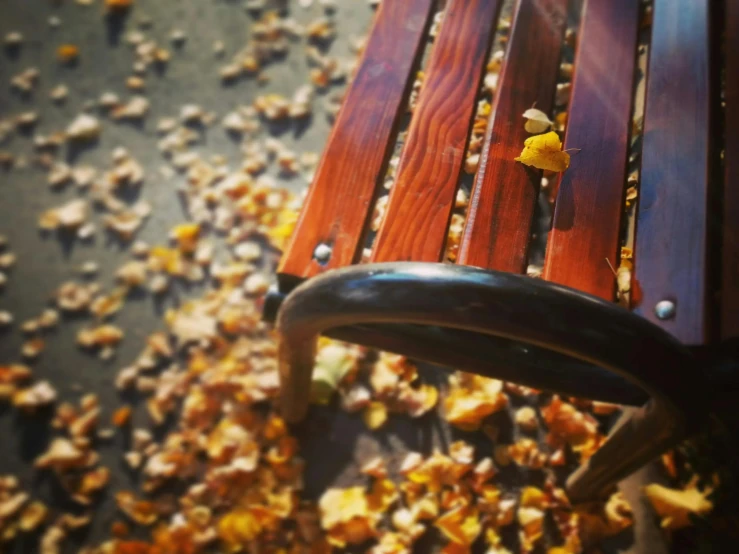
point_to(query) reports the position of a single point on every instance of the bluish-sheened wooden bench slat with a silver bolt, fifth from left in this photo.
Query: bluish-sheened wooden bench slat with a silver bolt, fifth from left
(671, 235)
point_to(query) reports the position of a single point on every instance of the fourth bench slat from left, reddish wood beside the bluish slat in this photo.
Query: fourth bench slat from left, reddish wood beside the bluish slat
(589, 205)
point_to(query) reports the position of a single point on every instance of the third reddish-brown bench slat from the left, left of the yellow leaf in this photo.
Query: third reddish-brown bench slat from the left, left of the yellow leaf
(496, 234)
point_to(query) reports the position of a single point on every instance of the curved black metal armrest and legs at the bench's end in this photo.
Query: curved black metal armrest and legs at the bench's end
(549, 317)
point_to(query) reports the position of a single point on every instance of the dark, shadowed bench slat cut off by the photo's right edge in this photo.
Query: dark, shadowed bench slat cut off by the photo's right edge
(730, 282)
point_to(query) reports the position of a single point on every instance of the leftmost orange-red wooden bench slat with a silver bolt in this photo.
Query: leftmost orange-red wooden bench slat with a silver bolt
(354, 161)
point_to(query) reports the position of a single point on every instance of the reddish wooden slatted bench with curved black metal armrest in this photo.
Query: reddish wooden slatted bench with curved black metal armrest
(564, 332)
